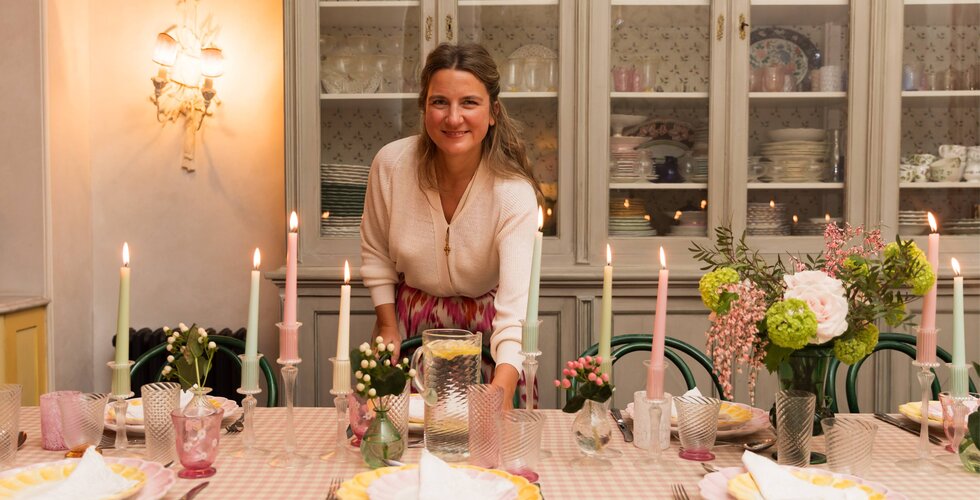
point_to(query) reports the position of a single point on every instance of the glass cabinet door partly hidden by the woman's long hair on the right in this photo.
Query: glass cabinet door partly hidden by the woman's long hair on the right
(523, 38)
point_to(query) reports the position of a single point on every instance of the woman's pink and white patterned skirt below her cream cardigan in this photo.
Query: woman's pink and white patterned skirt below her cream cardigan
(418, 311)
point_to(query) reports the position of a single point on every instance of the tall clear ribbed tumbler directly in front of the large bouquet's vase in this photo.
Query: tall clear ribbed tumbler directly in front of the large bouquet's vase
(794, 426)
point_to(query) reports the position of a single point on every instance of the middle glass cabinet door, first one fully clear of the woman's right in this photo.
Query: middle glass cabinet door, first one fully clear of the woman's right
(658, 159)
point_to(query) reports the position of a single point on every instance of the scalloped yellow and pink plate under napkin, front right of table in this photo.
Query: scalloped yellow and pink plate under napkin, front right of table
(736, 482)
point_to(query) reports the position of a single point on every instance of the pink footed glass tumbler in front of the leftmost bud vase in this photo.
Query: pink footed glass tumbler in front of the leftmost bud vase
(197, 443)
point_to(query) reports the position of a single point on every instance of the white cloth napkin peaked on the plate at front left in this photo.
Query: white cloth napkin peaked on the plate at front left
(90, 479)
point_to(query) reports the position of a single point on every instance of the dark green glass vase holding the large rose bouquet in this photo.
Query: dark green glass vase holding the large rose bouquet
(806, 370)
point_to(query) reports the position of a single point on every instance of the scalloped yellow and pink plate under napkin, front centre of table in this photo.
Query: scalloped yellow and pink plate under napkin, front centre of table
(357, 488)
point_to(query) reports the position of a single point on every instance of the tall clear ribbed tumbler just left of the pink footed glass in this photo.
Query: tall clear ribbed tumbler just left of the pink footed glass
(160, 399)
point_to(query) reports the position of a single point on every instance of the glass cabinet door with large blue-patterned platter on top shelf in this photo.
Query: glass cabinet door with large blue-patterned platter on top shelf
(797, 73)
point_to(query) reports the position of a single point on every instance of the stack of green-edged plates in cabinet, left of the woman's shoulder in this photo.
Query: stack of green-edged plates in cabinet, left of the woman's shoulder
(342, 189)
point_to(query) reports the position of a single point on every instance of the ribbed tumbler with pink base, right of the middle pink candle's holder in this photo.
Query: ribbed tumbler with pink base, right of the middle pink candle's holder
(697, 426)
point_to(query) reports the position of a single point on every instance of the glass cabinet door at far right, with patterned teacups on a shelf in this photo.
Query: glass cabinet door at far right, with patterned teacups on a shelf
(940, 132)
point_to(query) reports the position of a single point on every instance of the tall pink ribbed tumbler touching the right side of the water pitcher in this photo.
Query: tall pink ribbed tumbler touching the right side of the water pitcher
(485, 403)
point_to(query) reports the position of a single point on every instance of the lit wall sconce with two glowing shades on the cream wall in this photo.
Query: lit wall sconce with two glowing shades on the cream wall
(184, 85)
